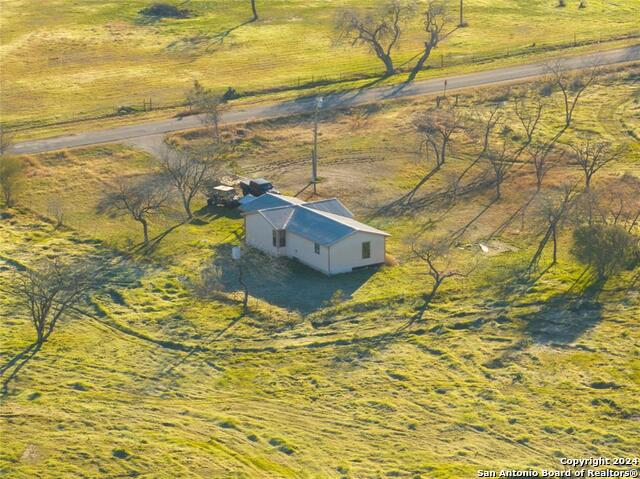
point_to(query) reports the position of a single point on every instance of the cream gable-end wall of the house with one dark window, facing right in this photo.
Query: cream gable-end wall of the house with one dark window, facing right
(347, 254)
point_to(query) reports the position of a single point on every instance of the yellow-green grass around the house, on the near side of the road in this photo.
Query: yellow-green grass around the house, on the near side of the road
(306, 387)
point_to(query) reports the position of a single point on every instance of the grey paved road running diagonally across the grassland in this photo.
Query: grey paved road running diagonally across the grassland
(342, 100)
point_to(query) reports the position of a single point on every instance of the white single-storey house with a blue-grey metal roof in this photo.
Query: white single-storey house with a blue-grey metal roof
(321, 234)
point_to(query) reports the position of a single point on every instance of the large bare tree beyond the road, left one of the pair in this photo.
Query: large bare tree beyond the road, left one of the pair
(378, 30)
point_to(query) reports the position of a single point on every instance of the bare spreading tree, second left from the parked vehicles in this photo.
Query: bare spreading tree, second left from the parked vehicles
(140, 198)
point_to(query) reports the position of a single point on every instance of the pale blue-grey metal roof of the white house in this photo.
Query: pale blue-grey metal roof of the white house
(313, 220)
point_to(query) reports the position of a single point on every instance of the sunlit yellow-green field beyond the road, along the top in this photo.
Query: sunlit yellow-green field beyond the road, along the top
(92, 56)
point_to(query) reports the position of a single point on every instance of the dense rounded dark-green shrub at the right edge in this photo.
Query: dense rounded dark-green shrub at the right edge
(608, 249)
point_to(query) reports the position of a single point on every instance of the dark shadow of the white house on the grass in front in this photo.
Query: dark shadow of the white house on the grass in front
(287, 283)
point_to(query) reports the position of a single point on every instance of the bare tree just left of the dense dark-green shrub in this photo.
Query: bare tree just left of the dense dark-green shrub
(553, 210)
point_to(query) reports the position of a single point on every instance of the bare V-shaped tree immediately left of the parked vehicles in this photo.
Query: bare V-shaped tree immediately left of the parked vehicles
(189, 172)
